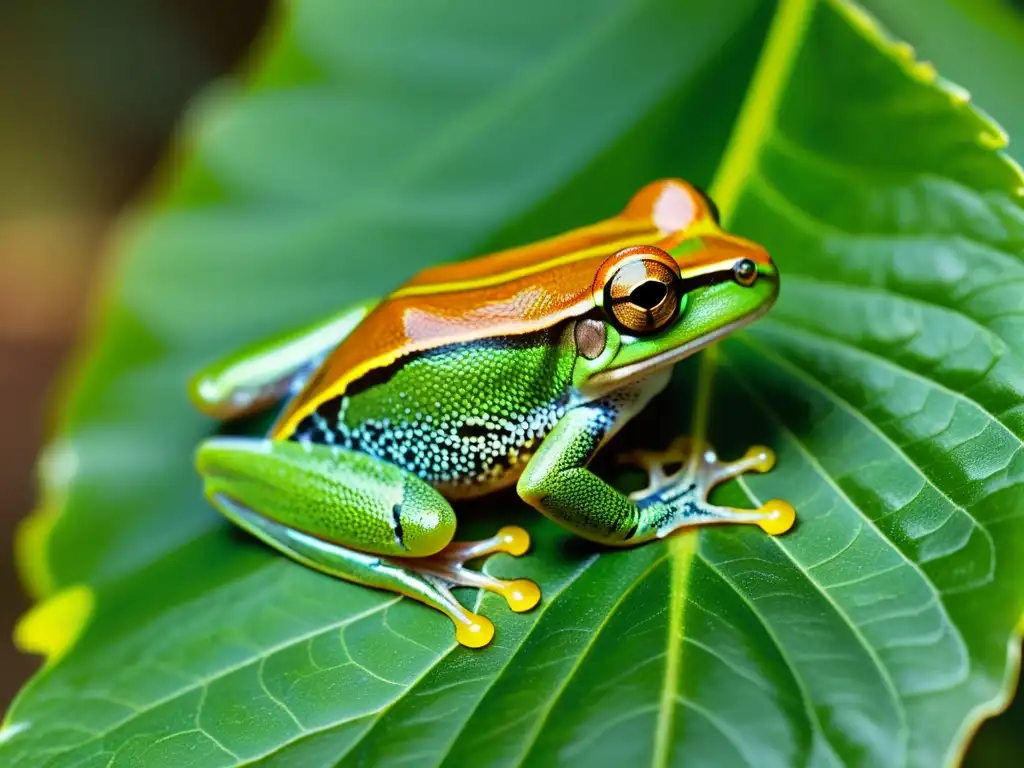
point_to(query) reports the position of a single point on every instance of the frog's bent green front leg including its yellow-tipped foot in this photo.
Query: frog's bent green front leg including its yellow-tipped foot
(559, 484)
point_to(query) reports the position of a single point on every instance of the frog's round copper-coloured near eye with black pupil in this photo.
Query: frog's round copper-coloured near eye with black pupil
(643, 295)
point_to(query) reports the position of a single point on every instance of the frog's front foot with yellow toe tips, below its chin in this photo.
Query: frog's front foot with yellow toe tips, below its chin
(682, 493)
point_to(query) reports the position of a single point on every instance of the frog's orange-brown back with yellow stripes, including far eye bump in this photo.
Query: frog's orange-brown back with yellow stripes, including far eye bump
(510, 294)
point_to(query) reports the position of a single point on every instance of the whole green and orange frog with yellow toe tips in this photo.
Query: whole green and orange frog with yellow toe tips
(513, 369)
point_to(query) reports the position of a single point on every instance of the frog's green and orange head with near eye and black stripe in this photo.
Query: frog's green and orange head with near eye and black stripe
(658, 307)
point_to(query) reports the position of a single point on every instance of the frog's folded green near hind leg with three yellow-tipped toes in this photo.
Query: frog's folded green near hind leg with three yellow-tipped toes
(360, 520)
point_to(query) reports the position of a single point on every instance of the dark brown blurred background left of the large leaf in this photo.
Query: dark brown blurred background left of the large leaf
(90, 96)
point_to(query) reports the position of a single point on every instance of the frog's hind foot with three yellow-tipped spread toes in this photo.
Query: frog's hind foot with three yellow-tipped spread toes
(448, 569)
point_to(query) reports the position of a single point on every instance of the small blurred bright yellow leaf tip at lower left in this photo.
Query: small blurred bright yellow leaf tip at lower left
(52, 628)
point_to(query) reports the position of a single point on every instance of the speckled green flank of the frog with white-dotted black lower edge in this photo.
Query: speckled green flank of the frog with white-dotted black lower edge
(464, 418)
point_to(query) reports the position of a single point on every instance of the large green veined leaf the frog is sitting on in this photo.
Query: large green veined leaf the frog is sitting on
(374, 140)
